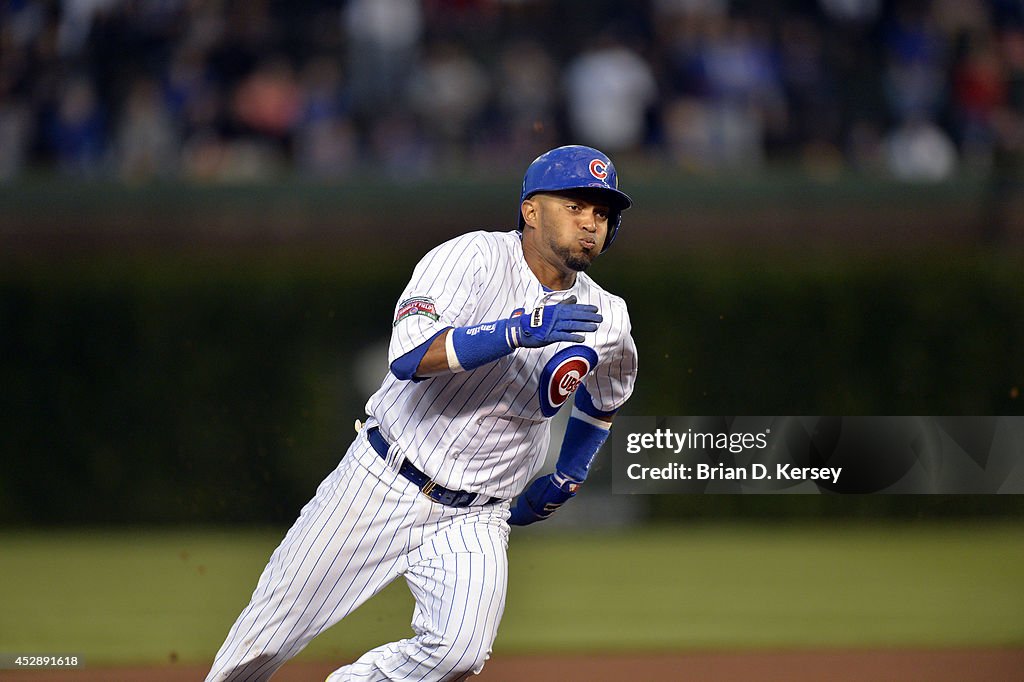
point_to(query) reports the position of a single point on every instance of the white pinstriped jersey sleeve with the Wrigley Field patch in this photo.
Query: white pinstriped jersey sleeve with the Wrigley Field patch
(441, 294)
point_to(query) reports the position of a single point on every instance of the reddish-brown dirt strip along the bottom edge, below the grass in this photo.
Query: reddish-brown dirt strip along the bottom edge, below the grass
(839, 666)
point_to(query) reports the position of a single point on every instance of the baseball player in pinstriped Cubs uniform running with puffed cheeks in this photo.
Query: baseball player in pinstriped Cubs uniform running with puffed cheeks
(494, 334)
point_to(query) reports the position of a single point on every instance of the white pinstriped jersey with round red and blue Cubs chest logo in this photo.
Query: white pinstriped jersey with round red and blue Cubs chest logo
(488, 431)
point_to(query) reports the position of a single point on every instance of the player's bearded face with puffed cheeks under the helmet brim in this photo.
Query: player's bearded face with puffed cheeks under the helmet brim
(573, 227)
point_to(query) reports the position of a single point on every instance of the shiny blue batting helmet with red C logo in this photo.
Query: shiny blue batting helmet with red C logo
(577, 167)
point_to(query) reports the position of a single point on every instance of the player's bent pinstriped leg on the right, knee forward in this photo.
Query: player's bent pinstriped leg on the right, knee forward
(459, 580)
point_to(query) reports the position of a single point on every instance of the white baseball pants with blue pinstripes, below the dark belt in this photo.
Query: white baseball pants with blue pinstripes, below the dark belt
(366, 527)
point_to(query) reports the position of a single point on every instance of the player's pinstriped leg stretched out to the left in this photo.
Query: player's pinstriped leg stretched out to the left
(346, 547)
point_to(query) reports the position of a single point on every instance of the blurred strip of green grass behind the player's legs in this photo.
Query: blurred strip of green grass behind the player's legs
(150, 596)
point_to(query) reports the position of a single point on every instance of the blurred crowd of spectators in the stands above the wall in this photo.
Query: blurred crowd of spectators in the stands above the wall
(250, 90)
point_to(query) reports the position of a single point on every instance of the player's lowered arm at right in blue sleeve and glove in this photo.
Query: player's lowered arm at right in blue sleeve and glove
(584, 437)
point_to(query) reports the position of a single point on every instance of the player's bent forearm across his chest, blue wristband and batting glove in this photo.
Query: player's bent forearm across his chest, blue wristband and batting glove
(464, 349)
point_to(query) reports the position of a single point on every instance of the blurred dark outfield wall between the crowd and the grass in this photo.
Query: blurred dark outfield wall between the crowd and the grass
(154, 374)
